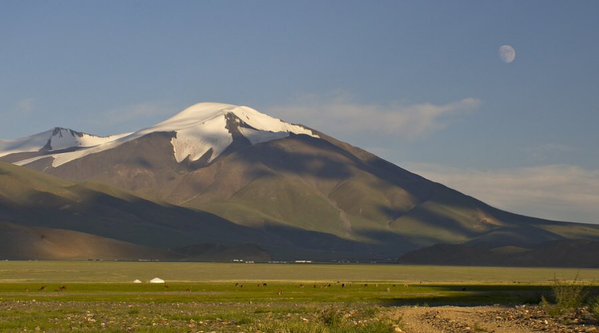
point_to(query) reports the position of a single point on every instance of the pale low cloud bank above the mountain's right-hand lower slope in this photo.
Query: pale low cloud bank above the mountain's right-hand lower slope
(558, 192)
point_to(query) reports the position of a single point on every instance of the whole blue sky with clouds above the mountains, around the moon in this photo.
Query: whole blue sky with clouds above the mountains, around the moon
(420, 83)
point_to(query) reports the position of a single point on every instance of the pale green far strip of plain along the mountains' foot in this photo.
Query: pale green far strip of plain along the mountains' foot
(100, 272)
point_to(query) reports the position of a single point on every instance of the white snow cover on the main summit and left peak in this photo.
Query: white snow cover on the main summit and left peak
(204, 128)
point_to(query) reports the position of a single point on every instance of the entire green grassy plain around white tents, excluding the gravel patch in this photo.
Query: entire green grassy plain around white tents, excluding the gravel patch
(100, 296)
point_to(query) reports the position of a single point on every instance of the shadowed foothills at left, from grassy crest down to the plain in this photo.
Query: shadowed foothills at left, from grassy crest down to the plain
(120, 225)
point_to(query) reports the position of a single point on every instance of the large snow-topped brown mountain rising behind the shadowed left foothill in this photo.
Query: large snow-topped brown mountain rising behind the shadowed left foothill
(267, 176)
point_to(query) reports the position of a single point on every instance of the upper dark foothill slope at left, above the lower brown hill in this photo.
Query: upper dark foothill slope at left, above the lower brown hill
(35, 200)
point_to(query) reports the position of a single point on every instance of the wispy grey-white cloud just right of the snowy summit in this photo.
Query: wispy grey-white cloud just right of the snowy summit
(341, 115)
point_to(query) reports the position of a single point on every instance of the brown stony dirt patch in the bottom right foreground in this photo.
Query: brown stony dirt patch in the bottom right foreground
(521, 319)
